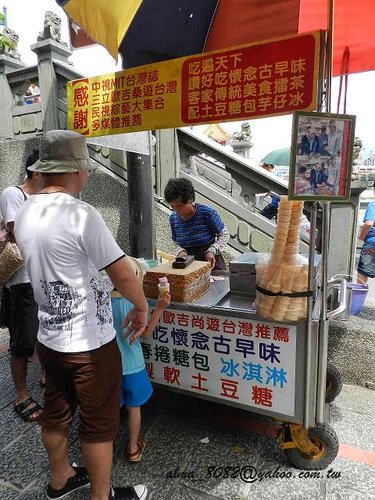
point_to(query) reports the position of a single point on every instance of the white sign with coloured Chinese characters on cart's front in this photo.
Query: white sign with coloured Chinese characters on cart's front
(227, 358)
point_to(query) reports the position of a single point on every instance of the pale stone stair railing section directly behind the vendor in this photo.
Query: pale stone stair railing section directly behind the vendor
(225, 181)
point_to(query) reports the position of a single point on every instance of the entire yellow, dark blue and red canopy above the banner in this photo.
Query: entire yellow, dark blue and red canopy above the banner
(153, 33)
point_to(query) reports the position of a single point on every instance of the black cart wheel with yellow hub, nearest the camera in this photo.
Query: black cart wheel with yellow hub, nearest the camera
(325, 439)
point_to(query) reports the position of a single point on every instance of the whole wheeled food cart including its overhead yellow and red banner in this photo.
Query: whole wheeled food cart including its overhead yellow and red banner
(218, 347)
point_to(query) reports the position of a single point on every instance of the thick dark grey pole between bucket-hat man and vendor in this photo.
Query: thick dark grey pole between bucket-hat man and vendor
(141, 205)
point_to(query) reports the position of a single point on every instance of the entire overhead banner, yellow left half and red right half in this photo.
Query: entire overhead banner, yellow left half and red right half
(271, 78)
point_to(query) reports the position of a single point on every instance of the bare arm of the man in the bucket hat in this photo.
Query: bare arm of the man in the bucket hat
(127, 283)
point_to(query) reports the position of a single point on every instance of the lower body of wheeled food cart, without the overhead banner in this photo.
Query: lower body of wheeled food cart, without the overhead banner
(218, 348)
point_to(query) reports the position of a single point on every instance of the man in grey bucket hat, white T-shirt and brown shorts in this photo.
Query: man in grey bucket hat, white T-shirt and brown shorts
(64, 243)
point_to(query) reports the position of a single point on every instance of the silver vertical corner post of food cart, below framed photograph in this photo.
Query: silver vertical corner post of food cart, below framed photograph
(312, 285)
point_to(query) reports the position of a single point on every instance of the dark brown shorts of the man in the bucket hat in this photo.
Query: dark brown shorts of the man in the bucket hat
(90, 381)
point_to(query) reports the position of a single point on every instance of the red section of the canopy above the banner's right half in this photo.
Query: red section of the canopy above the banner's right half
(246, 21)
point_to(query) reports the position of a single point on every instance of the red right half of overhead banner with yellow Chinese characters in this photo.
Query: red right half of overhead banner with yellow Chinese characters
(249, 82)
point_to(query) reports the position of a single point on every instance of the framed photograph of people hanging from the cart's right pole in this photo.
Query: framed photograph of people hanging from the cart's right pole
(322, 156)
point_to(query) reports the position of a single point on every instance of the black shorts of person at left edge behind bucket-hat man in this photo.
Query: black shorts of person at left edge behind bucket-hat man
(22, 321)
